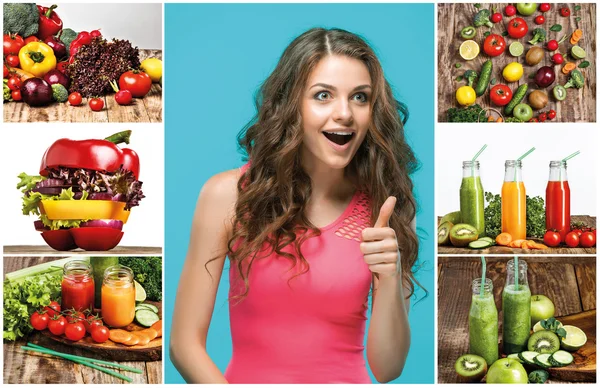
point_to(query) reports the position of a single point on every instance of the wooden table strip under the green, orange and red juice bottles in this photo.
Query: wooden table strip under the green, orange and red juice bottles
(500, 250)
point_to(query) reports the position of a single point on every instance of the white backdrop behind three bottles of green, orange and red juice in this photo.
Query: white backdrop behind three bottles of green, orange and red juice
(456, 143)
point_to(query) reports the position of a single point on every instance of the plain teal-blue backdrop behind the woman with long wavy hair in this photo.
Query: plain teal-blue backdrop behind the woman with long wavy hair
(216, 56)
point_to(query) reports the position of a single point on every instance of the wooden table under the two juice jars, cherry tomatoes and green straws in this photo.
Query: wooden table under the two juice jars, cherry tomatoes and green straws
(24, 367)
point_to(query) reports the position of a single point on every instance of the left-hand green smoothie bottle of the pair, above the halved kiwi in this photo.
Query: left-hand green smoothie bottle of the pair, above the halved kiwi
(483, 322)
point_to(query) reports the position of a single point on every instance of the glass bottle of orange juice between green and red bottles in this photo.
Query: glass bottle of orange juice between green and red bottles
(513, 201)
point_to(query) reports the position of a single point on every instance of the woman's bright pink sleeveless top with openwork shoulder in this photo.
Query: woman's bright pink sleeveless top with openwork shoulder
(312, 329)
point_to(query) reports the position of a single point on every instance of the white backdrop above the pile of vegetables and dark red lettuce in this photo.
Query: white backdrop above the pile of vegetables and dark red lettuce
(141, 24)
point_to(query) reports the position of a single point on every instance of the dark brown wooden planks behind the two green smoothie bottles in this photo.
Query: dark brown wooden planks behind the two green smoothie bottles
(570, 282)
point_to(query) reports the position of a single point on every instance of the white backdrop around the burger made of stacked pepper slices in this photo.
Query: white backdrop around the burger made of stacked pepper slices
(21, 150)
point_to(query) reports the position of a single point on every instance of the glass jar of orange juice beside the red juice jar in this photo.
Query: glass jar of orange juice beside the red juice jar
(118, 296)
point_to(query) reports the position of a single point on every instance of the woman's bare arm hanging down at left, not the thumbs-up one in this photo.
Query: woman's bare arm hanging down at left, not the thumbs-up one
(197, 289)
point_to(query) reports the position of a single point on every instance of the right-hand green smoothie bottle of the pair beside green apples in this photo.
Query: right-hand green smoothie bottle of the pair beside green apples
(516, 308)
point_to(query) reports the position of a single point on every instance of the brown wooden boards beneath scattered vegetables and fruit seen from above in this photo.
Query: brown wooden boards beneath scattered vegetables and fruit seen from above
(580, 105)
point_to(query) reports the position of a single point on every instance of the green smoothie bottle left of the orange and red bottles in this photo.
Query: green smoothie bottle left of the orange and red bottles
(471, 197)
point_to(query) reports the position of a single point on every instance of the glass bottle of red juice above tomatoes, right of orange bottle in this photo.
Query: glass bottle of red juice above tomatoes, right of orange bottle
(558, 199)
